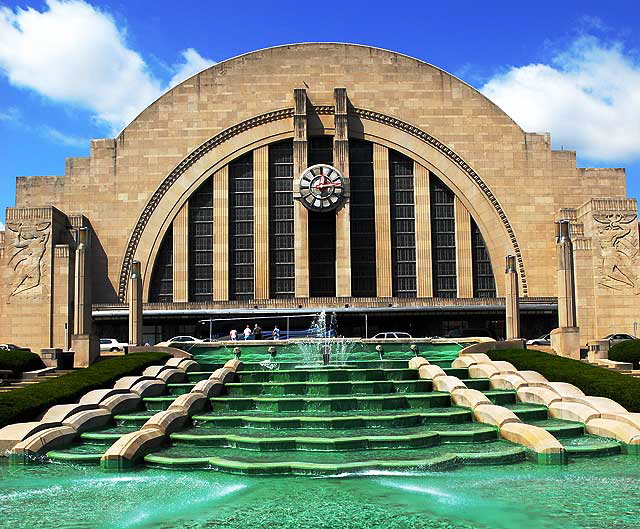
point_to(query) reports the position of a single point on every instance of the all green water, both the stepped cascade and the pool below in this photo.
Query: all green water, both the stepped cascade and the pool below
(588, 493)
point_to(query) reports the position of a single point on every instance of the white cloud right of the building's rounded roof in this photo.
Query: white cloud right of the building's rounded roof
(588, 99)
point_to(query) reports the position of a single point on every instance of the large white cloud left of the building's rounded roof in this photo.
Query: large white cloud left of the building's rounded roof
(74, 53)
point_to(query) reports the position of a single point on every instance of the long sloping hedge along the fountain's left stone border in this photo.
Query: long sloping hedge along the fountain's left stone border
(26, 404)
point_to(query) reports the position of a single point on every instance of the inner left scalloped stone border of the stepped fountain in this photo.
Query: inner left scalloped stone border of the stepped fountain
(130, 449)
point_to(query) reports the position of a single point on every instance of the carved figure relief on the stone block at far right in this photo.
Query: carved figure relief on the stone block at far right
(620, 255)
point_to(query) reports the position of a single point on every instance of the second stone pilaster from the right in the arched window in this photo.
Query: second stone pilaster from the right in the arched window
(424, 267)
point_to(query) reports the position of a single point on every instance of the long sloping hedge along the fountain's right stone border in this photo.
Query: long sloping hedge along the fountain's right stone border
(592, 380)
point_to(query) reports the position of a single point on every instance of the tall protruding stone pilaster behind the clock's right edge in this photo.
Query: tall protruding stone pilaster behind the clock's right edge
(343, 216)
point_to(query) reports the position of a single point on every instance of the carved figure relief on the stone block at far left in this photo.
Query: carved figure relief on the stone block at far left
(26, 252)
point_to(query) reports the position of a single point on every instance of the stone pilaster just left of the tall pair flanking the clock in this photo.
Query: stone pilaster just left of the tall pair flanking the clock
(261, 221)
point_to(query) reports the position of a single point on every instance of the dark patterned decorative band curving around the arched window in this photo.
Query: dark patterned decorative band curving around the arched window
(288, 113)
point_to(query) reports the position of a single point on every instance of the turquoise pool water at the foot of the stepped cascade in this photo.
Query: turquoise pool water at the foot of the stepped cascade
(586, 494)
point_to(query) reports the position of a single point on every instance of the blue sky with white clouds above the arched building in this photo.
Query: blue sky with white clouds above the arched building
(72, 70)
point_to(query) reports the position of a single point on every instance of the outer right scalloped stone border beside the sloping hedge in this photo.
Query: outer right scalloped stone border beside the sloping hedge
(601, 416)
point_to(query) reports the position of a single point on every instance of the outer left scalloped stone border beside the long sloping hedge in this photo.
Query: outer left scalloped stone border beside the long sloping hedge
(62, 424)
